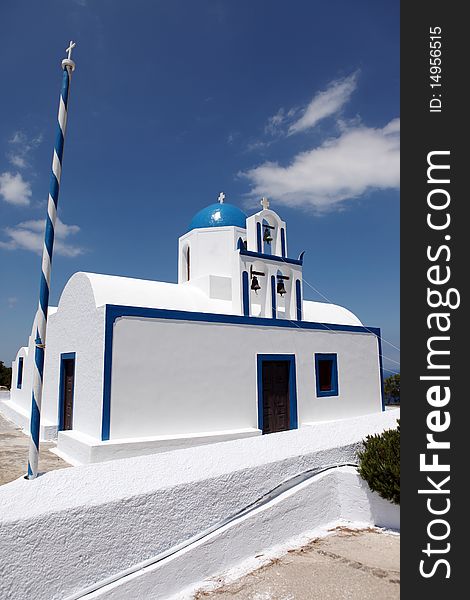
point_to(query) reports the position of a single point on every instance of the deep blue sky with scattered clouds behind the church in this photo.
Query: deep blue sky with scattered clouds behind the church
(174, 101)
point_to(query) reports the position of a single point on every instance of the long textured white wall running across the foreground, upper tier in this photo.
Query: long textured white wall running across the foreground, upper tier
(73, 527)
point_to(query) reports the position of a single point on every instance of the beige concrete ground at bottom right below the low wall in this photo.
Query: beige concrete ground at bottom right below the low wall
(348, 565)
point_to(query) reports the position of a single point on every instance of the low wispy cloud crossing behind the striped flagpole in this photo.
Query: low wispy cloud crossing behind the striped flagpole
(29, 235)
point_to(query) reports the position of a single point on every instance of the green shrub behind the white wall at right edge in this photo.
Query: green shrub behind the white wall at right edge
(379, 463)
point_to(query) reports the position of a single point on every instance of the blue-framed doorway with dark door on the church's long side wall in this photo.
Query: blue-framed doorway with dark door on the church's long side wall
(277, 401)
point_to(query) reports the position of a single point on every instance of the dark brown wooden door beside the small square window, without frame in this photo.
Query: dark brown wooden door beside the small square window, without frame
(276, 415)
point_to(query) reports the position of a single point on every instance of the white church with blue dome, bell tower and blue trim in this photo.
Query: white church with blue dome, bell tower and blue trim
(232, 350)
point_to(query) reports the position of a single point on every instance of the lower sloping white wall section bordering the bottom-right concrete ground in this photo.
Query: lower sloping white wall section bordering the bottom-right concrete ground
(312, 509)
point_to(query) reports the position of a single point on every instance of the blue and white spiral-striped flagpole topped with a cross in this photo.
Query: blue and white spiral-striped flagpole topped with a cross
(68, 67)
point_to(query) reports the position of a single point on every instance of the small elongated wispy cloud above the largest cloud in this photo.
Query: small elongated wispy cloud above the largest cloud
(326, 103)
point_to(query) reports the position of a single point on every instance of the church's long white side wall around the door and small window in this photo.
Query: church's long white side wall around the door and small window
(175, 377)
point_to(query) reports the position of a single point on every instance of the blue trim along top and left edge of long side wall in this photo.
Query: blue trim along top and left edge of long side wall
(114, 311)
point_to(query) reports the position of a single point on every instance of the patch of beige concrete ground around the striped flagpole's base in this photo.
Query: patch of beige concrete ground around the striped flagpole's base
(14, 446)
